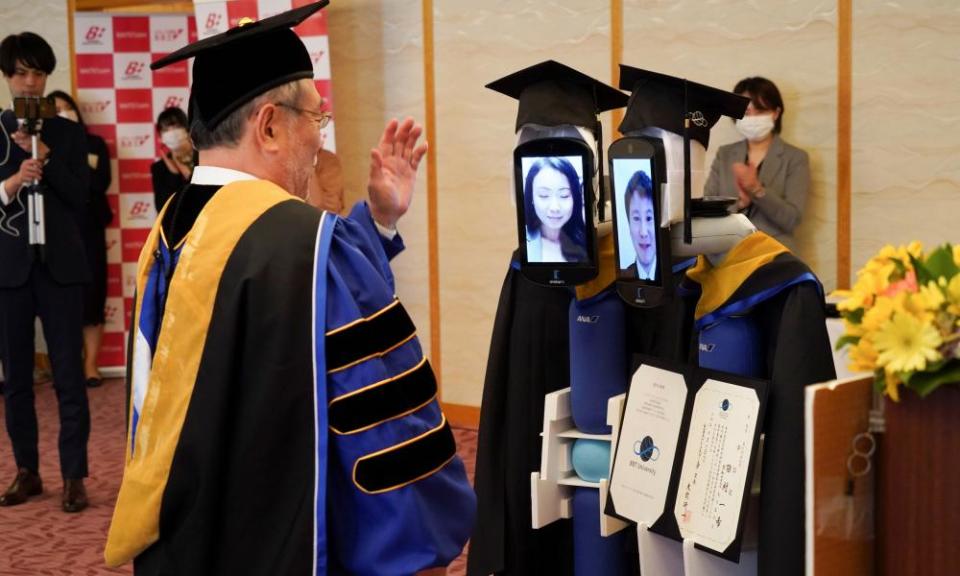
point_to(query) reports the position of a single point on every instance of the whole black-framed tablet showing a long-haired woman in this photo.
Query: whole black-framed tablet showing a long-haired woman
(554, 211)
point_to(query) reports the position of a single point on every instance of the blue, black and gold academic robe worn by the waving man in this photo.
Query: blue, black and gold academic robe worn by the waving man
(283, 419)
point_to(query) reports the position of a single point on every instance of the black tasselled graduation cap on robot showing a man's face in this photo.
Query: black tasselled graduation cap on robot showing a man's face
(679, 106)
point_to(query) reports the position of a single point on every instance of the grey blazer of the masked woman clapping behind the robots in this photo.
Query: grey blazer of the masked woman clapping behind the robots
(785, 175)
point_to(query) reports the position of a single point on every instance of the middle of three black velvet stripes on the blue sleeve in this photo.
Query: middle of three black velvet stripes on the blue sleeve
(383, 401)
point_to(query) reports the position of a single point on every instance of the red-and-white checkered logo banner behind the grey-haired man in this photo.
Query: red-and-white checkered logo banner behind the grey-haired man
(120, 99)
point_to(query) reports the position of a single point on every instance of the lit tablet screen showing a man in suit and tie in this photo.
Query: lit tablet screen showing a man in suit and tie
(637, 219)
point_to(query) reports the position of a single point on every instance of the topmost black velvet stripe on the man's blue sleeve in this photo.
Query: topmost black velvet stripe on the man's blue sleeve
(368, 337)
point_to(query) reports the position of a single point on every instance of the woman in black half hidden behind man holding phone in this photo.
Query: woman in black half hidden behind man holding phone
(94, 221)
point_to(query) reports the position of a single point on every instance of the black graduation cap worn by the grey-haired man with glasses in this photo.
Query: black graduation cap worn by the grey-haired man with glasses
(233, 68)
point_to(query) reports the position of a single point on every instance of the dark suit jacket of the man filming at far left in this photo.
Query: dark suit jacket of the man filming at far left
(66, 179)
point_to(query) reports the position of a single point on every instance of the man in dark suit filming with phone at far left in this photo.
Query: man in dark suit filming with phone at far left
(47, 283)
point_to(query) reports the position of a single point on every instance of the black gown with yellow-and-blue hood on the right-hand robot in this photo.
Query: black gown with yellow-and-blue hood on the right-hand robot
(760, 313)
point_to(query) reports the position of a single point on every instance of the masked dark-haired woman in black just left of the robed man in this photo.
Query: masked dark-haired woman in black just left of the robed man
(173, 170)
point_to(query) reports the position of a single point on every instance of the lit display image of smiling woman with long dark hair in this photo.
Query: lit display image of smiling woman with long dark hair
(553, 205)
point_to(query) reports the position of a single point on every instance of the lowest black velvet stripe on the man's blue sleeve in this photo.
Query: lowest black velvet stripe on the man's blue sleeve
(404, 464)
